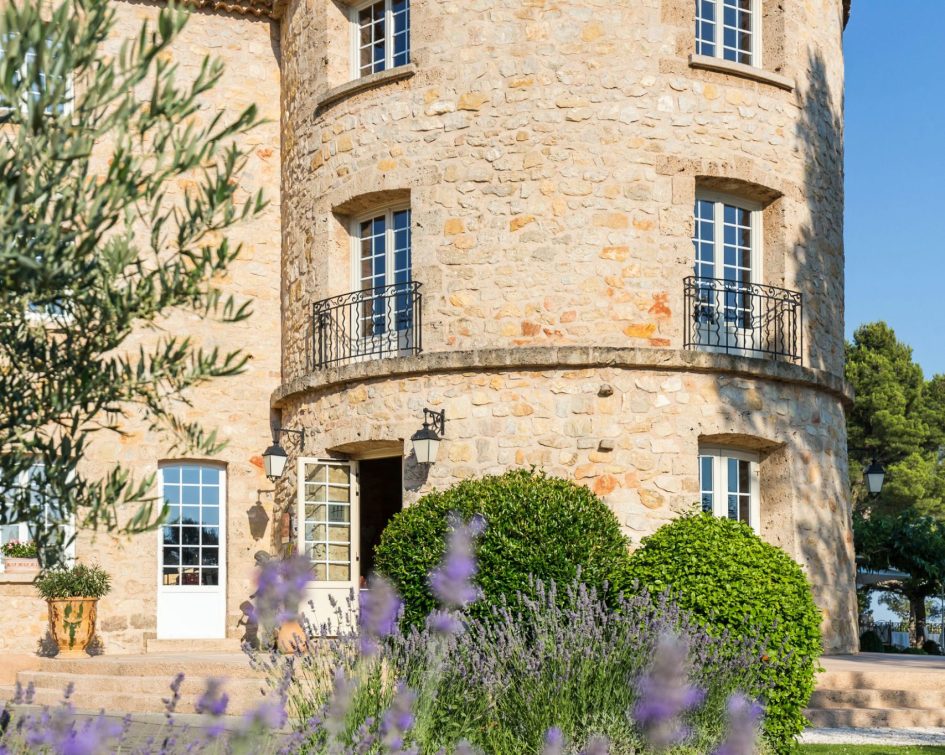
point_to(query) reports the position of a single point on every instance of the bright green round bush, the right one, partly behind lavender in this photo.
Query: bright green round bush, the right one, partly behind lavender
(723, 573)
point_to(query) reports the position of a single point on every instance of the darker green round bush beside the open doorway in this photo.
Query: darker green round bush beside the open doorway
(536, 525)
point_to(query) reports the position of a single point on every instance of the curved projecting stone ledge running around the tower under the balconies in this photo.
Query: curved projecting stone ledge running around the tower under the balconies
(562, 357)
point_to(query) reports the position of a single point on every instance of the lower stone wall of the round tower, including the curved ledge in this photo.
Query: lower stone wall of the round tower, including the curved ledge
(631, 432)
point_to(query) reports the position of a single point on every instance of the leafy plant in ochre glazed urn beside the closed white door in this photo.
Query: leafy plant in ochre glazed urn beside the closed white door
(72, 595)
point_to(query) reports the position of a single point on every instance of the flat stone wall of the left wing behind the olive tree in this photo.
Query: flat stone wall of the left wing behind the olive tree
(237, 407)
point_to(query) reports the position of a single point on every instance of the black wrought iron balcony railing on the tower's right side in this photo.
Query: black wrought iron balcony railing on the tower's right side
(746, 319)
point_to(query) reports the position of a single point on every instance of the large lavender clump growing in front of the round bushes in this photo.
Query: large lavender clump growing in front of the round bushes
(551, 672)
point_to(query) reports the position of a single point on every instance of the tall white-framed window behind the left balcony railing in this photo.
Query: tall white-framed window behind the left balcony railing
(382, 259)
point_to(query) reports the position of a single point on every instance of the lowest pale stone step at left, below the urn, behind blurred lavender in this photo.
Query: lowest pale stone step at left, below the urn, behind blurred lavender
(120, 702)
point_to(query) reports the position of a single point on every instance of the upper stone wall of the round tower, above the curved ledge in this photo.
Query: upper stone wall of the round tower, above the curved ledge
(551, 152)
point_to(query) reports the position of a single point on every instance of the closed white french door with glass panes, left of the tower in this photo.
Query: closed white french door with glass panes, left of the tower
(192, 552)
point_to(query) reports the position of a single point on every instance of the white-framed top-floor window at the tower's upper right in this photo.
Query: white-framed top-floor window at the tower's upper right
(729, 29)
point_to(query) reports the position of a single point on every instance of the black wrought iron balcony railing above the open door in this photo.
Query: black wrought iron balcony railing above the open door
(371, 324)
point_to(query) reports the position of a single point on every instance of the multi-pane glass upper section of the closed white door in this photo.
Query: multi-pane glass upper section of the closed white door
(194, 496)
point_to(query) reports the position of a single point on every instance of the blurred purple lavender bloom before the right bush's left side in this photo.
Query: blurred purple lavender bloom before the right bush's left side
(665, 694)
